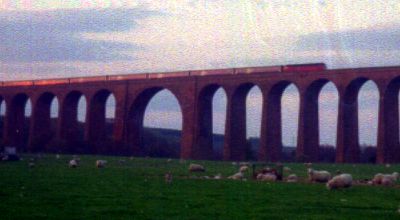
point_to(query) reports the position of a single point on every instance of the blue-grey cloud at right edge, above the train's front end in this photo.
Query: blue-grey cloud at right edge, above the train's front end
(383, 39)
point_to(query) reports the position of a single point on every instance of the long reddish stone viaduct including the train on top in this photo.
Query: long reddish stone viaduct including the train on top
(194, 91)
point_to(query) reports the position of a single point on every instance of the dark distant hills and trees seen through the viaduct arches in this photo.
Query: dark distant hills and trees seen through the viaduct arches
(161, 142)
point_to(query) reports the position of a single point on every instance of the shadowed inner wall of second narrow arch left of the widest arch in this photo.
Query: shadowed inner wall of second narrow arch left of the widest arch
(72, 130)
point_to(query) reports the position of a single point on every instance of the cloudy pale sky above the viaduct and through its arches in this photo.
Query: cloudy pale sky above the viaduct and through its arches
(61, 38)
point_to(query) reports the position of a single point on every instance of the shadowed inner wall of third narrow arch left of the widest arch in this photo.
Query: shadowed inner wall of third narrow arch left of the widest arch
(43, 127)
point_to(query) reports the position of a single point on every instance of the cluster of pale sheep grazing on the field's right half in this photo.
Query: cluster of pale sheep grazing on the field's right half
(341, 180)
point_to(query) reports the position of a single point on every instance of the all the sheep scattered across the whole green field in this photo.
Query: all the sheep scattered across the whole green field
(340, 180)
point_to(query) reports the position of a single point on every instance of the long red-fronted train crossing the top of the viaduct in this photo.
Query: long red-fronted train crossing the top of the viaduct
(311, 67)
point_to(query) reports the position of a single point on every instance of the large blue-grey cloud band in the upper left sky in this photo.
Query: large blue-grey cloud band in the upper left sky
(56, 35)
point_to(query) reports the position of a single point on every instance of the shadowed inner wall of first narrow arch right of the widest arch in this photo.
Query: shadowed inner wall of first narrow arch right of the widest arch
(205, 146)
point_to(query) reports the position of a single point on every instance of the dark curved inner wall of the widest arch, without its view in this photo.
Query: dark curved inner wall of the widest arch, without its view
(136, 120)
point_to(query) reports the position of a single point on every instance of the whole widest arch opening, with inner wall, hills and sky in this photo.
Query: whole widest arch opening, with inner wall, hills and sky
(155, 124)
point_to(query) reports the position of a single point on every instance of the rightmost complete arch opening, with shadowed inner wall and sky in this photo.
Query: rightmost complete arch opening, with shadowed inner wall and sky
(358, 122)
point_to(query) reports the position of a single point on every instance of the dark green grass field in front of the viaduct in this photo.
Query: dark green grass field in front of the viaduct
(136, 190)
